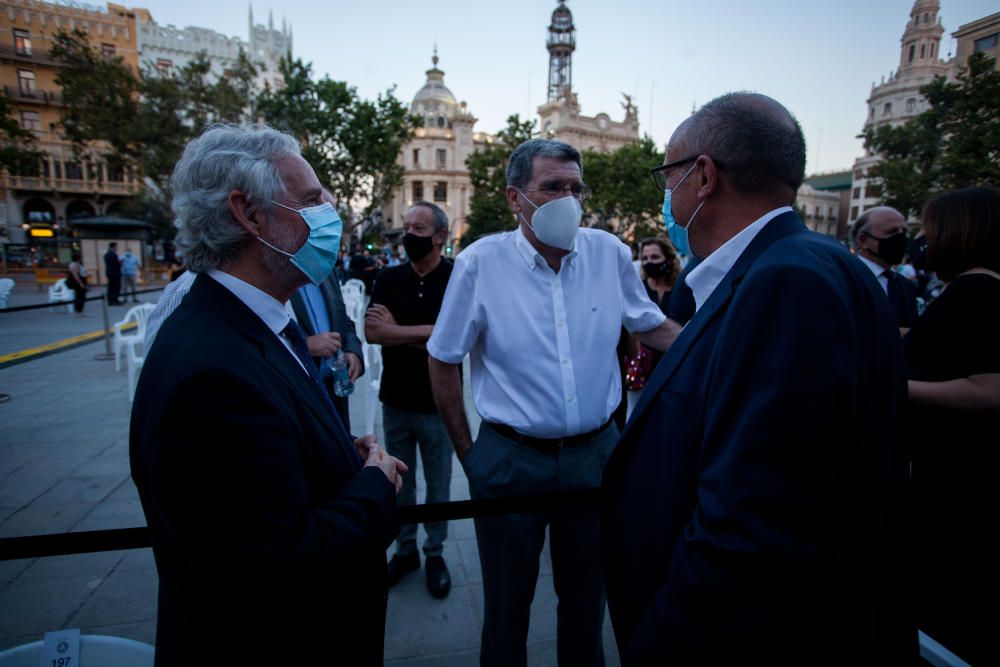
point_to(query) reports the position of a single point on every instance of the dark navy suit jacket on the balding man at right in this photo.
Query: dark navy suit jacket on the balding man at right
(754, 509)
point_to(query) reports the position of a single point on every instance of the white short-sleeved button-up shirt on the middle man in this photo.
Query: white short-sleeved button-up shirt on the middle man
(542, 344)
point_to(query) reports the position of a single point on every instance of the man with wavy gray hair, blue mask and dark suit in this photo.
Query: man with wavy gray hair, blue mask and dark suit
(263, 512)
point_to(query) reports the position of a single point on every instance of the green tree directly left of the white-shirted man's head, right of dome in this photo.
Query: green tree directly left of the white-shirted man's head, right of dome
(488, 210)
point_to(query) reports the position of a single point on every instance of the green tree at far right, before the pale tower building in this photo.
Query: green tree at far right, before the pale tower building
(953, 144)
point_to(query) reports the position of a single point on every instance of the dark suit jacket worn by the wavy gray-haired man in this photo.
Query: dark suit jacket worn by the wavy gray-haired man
(269, 537)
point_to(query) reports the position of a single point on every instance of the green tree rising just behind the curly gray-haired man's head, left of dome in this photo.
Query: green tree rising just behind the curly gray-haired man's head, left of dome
(352, 143)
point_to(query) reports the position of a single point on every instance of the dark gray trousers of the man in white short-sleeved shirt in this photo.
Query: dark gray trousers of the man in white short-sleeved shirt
(510, 546)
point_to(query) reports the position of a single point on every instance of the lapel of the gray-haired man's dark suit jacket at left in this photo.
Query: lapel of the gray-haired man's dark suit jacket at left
(275, 354)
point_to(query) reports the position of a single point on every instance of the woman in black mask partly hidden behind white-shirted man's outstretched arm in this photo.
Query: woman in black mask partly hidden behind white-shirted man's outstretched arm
(659, 269)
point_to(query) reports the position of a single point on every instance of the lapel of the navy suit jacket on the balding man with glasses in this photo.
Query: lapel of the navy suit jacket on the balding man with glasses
(777, 228)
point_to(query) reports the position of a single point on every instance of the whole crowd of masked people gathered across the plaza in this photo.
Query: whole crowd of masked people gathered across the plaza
(802, 477)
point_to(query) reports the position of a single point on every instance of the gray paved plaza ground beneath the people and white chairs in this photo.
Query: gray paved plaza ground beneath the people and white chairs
(64, 467)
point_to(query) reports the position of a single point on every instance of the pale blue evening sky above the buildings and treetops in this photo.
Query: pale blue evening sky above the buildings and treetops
(818, 58)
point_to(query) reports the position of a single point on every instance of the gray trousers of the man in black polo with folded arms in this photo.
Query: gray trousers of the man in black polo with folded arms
(404, 432)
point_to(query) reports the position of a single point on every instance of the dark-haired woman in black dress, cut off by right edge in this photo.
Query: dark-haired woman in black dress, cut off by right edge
(953, 355)
